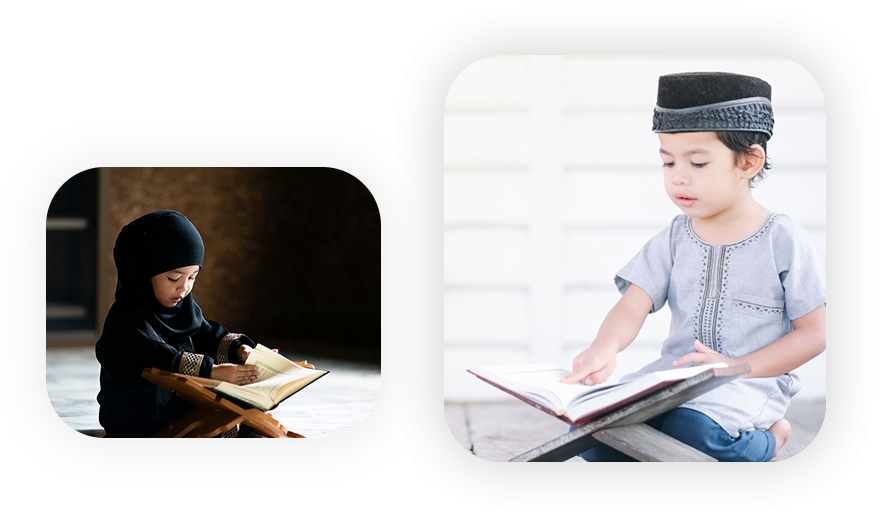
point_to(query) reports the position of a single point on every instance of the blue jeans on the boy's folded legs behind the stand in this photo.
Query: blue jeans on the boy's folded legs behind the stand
(699, 431)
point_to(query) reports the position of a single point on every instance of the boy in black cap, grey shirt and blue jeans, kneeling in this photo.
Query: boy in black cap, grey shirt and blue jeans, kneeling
(744, 285)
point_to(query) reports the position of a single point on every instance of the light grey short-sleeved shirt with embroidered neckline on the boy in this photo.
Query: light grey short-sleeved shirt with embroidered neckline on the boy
(736, 299)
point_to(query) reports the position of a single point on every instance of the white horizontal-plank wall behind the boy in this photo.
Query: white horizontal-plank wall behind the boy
(552, 182)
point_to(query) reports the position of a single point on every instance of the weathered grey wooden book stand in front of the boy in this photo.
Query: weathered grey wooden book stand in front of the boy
(624, 429)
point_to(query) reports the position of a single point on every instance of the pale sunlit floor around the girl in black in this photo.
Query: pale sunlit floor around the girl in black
(333, 406)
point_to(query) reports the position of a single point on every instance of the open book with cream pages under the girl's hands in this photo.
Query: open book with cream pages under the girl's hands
(278, 379)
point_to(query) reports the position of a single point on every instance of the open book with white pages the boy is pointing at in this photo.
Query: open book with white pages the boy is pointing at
(576, 403)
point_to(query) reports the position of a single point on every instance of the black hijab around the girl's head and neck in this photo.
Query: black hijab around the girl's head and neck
(154, 243)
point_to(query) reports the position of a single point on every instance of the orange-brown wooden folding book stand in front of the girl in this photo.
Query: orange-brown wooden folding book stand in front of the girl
(212, 413)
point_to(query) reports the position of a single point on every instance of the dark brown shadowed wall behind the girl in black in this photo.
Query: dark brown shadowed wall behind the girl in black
(292, 254)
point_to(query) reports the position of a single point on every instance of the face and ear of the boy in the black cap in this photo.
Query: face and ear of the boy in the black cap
(700, 174)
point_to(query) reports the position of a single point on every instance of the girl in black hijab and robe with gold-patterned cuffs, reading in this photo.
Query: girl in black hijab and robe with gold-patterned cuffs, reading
(154, 322)
